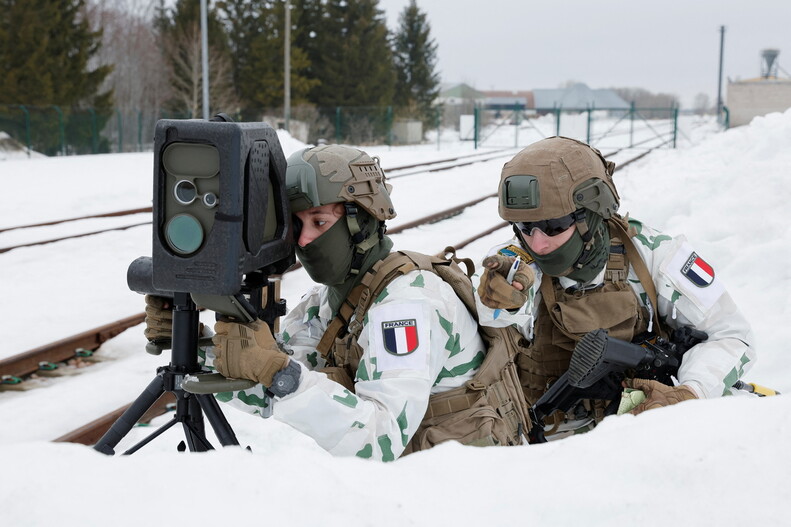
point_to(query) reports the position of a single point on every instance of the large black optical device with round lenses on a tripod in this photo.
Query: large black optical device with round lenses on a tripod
(221, 229)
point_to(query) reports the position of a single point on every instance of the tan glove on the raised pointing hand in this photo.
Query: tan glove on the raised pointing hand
(495, 292)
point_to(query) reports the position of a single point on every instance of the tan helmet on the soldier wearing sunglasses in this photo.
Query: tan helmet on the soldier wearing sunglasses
(555, 177)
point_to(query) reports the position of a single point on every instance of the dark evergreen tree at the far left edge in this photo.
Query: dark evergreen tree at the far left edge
(47, 56)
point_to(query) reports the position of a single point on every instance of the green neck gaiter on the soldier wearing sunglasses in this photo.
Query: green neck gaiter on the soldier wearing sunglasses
(561, 261)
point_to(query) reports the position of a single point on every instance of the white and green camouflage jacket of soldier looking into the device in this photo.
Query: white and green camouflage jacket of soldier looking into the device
(418, 338)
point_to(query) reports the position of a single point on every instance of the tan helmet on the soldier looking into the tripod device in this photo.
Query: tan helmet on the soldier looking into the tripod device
(336, 174)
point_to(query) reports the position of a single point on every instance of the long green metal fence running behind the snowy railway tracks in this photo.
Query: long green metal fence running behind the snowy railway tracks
(55, 130)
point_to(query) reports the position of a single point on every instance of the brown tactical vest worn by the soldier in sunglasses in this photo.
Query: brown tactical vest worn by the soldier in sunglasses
(564, 316)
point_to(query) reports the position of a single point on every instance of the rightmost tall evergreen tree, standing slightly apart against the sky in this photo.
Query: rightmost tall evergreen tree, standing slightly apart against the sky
(415, 59)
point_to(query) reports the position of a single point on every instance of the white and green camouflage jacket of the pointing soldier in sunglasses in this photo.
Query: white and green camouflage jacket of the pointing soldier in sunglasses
(689, 294)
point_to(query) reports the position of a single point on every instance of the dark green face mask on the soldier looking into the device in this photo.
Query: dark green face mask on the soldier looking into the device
(328, 258)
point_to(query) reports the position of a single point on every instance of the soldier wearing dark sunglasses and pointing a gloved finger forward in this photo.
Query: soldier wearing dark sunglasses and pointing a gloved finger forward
(584, 267)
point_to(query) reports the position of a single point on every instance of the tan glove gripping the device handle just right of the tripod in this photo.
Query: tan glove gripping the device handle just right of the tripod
(247, 352)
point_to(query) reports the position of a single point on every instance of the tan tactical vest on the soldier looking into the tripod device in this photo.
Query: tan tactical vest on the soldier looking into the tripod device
(489, 409)
